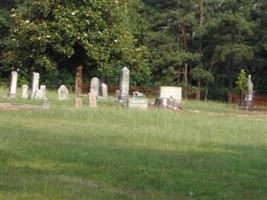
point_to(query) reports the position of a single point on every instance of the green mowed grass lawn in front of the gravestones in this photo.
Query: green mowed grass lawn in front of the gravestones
(115, 153)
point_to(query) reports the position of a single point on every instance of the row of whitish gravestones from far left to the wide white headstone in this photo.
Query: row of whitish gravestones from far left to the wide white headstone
(167, 98)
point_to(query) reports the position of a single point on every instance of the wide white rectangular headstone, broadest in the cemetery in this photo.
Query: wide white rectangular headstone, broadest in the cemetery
(171, 92)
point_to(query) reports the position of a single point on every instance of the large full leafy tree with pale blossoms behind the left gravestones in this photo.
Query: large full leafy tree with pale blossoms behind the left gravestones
(56, 34)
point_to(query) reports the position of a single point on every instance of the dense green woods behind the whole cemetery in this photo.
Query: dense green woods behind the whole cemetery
(198, 44)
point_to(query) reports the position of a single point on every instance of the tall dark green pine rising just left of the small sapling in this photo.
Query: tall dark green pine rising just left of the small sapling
(234, 28)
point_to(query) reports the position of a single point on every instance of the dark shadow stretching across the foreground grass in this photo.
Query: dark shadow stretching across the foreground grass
(211, 172)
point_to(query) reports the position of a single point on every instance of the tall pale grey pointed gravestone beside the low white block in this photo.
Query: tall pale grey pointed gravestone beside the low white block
(124, 84)
